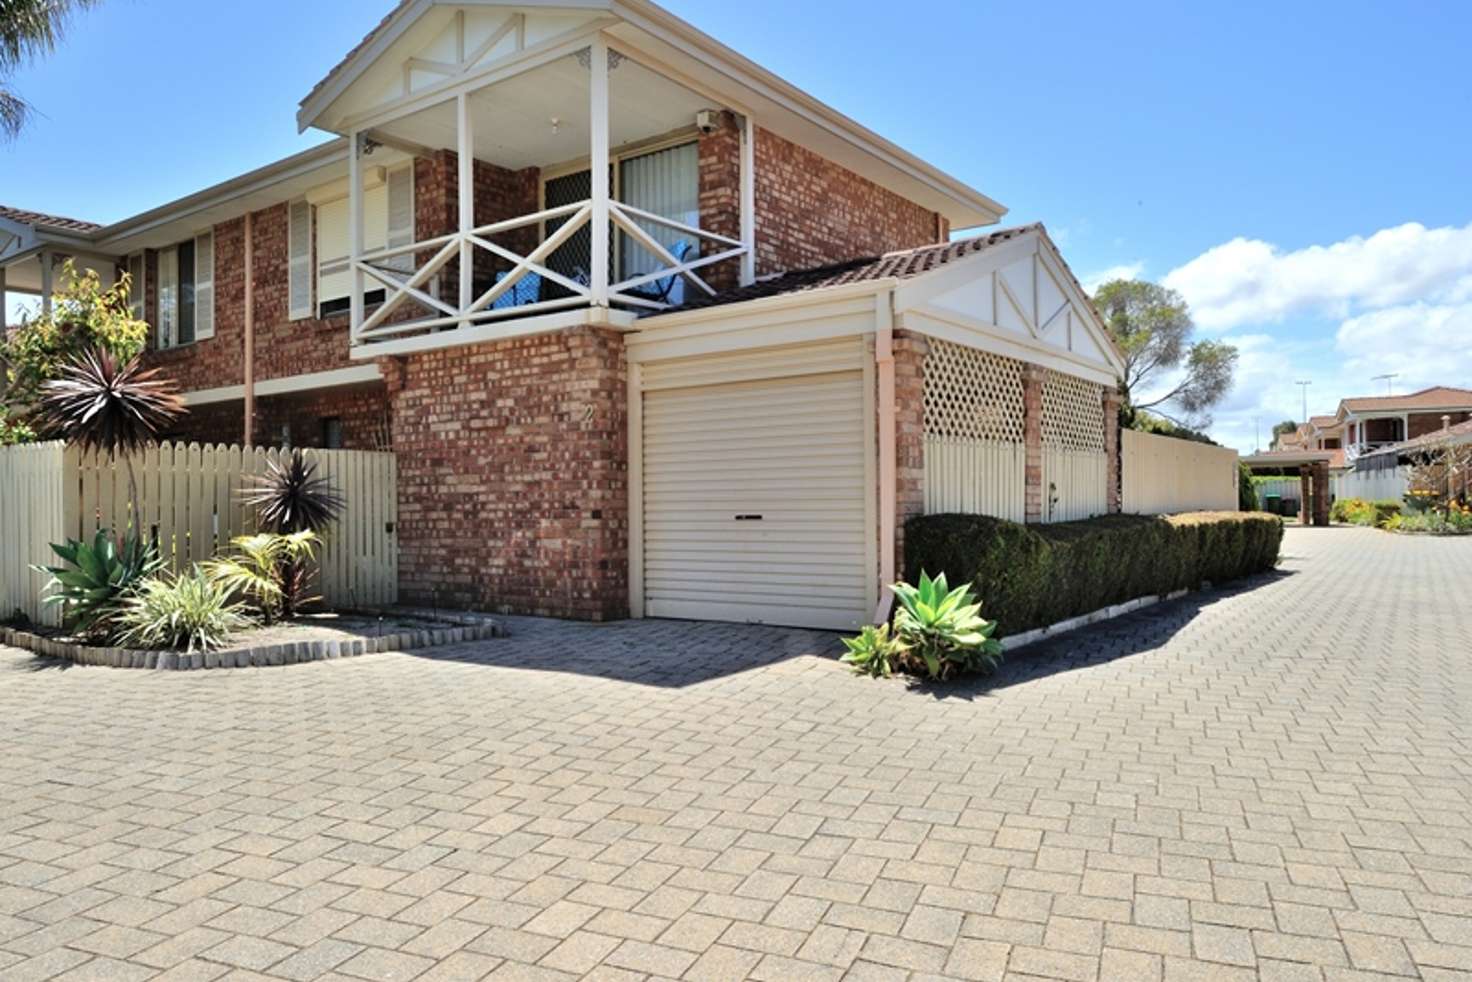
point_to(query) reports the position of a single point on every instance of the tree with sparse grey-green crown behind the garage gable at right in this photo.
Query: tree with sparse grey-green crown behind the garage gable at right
(1153, 328)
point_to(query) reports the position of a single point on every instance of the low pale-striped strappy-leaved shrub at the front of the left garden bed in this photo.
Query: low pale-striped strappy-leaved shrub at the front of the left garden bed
(191, 613)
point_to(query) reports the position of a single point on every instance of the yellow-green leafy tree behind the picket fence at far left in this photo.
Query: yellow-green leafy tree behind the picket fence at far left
(85, 317)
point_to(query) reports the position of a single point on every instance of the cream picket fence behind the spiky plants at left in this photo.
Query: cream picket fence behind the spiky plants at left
(191, 504)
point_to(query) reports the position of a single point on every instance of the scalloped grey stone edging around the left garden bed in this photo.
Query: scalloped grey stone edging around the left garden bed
(464, 628)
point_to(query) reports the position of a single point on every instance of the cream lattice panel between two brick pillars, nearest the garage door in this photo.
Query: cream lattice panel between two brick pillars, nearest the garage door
(972, 395)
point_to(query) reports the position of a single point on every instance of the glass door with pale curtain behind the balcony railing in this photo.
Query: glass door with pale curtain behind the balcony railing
(666, 183)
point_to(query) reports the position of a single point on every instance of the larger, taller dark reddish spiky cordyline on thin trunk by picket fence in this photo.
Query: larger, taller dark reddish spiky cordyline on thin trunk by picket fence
(107, 407)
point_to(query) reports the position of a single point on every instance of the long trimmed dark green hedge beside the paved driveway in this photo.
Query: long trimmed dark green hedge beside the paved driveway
(1034, 576)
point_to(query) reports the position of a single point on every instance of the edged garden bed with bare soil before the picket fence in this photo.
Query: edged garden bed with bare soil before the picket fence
(308, 638)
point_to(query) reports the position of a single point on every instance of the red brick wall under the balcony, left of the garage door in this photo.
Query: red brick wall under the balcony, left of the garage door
(513, 469)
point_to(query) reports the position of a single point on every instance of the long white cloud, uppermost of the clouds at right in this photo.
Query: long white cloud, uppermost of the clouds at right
(1253, 282)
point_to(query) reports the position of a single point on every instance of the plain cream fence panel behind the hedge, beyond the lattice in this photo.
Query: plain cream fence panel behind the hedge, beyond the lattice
(1165, 476)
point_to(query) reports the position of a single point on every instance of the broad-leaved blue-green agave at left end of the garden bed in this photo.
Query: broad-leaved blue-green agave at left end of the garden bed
(98, 576)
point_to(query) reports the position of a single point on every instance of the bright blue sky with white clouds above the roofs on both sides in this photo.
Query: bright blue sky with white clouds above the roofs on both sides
(1299, 172)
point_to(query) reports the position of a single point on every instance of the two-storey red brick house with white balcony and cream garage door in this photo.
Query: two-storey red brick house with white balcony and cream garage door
(723, 407)
